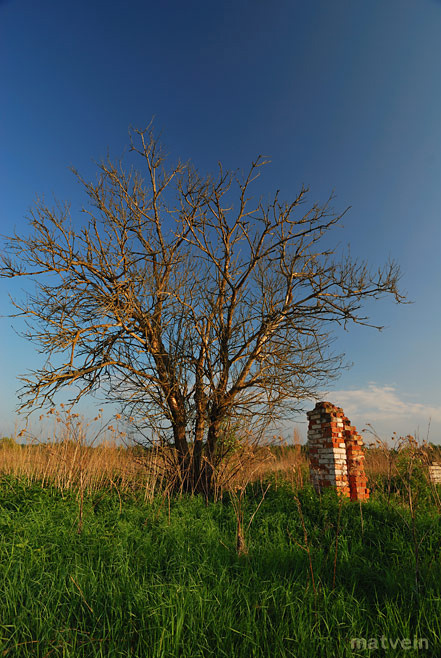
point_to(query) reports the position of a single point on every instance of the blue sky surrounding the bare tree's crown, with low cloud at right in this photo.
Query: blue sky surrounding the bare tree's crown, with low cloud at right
(342, 95)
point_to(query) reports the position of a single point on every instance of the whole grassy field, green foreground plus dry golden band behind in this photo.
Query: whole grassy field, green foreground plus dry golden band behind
(98, 558)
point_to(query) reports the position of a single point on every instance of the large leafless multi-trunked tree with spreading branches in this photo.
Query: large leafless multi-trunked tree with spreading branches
(187, 303)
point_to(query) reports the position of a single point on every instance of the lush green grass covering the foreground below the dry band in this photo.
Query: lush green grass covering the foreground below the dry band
(153, 580)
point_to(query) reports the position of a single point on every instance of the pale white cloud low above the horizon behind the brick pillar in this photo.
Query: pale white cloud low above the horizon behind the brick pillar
(387, 411)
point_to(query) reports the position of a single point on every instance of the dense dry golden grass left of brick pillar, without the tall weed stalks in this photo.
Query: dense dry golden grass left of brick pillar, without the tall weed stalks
(66, 464)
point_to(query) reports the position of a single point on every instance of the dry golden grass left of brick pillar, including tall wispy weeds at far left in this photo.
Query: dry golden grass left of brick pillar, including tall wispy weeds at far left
(94, 456)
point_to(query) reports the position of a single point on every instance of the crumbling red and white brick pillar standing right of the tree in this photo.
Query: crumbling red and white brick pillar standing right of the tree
(336, 452)
